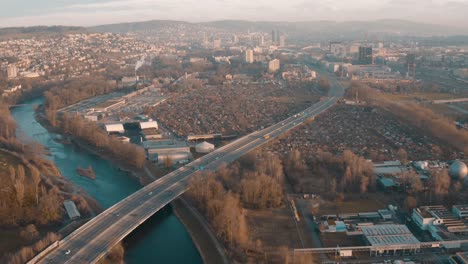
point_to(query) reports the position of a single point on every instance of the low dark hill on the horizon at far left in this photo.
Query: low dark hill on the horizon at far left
(17, 32)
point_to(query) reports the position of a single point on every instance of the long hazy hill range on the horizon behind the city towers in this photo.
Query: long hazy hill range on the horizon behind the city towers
(347, 28)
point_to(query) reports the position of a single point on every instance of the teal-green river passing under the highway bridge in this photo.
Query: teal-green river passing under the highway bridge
(162, 239)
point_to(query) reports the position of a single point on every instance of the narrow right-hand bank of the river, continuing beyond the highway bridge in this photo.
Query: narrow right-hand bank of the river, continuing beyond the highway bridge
(149, 173)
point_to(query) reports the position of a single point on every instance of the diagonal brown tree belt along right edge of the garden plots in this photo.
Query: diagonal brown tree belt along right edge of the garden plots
(415, 115)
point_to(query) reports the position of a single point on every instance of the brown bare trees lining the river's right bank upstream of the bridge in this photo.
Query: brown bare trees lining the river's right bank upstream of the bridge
(92, 134)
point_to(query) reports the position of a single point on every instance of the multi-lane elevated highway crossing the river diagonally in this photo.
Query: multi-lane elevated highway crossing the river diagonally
(92, 241)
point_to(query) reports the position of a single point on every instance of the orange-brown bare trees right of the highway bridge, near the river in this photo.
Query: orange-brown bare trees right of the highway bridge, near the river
(251, 183)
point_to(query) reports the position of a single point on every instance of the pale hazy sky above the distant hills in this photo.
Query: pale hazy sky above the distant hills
(94, 12)
